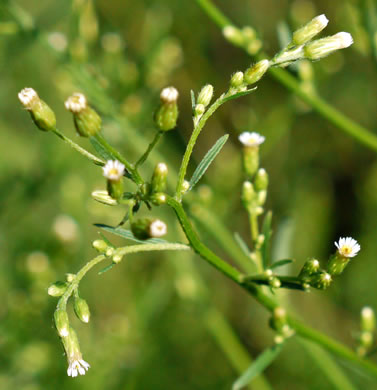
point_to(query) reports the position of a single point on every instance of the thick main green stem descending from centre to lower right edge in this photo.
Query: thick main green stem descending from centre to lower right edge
(268, 302)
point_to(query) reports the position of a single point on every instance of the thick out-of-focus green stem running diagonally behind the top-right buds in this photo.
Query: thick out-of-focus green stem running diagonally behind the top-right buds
(347, 125)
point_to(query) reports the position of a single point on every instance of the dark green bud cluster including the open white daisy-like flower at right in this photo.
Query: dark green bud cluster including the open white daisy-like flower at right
(312, 275)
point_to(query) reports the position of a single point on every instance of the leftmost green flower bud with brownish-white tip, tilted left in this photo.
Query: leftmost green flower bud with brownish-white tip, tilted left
(41, 114)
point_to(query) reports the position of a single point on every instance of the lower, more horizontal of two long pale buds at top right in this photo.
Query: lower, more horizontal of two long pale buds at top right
(325, 46)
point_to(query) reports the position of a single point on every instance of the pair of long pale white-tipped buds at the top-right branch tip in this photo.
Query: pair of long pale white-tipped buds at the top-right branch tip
(302, 45)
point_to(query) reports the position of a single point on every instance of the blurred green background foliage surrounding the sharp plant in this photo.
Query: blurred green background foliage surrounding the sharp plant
(169, 321)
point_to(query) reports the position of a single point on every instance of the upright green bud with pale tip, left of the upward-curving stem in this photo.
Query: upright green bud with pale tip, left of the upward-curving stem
(167, 114)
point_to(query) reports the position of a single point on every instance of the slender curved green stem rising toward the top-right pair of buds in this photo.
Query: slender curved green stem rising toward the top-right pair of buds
(190, 146)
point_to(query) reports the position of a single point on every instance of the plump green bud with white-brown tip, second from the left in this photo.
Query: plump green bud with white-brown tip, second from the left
(87, 122)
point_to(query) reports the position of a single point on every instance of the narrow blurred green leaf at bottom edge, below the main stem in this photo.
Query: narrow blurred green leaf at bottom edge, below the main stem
(258, 366)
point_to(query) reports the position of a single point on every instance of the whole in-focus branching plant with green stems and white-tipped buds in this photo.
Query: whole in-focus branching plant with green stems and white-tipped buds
(147, 232)
